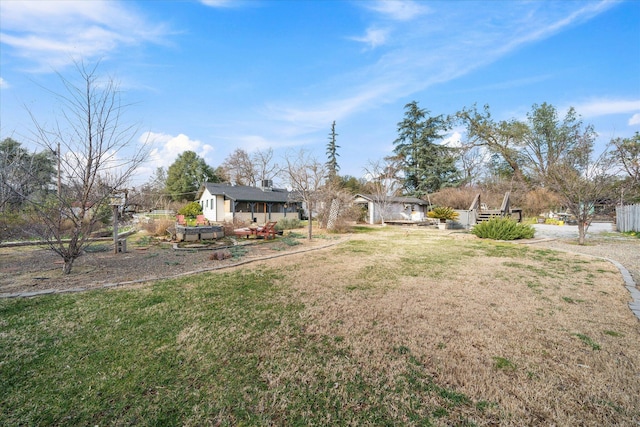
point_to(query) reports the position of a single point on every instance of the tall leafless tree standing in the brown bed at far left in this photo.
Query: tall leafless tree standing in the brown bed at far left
(96, 157)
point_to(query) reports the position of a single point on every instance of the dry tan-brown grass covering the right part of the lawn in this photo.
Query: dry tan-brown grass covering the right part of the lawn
(541, 337)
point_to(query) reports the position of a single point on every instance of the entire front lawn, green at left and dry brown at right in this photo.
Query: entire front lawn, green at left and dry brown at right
(394, 327)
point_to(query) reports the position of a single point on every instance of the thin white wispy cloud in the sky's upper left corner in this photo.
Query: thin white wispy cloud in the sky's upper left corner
(53, 34)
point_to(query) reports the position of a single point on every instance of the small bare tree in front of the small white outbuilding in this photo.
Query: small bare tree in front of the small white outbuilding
(383, 184)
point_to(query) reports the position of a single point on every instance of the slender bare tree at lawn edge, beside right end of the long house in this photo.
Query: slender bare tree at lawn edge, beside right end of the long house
(305, 176)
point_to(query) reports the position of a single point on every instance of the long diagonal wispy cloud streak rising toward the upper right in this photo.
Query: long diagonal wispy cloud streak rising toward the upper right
(445, 43)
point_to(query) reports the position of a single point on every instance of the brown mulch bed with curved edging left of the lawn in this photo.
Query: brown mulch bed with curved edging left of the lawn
(36, 269)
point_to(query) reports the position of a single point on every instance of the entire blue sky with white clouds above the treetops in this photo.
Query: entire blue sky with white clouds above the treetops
(214, 75)
